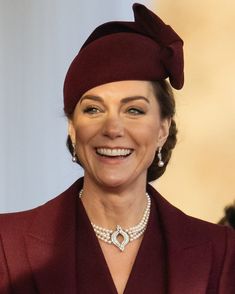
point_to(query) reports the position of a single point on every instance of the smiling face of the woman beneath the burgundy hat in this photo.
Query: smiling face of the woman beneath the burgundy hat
(117, 129)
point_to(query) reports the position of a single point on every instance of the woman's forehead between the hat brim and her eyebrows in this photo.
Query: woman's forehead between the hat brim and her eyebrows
(122, 89)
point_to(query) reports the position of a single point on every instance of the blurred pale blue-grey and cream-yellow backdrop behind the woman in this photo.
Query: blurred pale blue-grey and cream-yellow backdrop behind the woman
(39, 39)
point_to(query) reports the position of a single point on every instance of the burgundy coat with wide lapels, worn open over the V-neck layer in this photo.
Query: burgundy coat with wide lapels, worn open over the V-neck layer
(37, 250)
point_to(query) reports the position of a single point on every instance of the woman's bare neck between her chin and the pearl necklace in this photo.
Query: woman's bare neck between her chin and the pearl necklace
(111, 207)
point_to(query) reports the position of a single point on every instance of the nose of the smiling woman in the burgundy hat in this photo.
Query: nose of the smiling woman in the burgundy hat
(113, 127)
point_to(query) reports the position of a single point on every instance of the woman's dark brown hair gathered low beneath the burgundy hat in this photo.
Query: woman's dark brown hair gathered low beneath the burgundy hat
(166, 101)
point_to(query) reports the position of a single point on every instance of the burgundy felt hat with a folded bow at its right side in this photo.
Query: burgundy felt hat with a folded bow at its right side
(145, 49)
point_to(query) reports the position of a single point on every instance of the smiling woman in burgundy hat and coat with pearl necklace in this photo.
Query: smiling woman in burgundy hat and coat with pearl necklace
(111, 232)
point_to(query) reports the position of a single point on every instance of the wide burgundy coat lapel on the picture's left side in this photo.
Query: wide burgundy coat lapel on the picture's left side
(50, 245)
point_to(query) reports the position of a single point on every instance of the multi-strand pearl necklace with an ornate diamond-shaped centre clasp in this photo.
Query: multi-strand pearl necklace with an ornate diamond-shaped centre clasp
(128, 235)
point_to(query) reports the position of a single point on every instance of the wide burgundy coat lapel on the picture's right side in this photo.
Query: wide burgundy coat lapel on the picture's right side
(189, 253)
